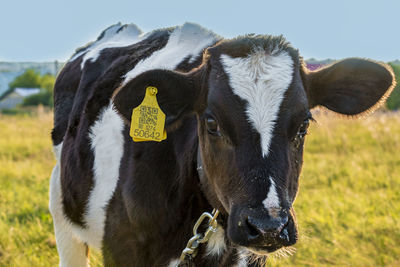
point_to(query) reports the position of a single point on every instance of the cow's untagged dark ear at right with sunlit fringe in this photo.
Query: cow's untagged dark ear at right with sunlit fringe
(351, 86)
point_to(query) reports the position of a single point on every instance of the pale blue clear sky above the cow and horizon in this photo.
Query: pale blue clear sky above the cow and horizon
(47, 30)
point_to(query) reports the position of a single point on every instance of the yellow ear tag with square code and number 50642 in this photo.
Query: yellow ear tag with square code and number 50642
(148, 120)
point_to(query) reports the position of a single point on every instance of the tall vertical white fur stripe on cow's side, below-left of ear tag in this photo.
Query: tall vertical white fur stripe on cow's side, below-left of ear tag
(107, 144)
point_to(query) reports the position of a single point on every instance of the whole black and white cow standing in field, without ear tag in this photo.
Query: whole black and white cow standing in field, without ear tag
(239, 107)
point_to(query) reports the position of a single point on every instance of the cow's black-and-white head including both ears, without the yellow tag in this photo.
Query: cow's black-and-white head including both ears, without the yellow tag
(252, 97)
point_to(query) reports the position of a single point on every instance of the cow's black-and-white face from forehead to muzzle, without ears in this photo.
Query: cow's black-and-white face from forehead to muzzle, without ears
(251, 138)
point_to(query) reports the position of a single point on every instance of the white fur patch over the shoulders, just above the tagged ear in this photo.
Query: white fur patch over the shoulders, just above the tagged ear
(187, 40)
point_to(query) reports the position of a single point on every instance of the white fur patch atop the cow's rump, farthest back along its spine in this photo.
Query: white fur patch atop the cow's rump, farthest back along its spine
(112, 38)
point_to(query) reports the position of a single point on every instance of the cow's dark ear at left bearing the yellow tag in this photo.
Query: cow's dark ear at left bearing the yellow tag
(176, 96)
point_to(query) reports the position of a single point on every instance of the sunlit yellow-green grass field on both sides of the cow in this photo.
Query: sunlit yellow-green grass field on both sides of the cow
(348, 208)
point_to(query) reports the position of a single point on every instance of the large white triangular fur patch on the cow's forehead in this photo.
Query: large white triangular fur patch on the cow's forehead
(262, 81)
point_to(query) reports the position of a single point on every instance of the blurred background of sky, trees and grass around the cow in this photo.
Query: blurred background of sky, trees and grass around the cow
(348, 206)
